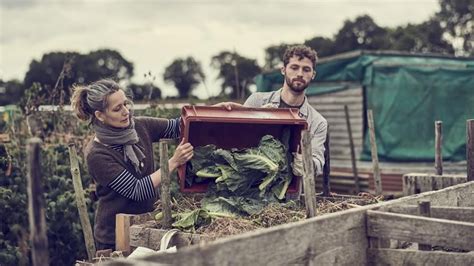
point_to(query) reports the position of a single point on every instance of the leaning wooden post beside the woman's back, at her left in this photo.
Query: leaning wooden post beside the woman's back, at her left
(81, 202)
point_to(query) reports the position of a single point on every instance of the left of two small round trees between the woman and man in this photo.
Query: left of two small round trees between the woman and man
(186, 74)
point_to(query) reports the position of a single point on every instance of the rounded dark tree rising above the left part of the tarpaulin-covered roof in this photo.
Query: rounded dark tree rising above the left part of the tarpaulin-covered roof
(362, 33)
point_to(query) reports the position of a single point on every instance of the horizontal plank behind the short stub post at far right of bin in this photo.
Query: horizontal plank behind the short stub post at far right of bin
(462, 214)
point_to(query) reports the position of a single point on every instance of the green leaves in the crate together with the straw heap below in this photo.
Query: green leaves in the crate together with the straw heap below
(246, 189)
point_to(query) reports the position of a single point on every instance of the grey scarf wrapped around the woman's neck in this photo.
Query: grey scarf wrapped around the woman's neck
(124, 136)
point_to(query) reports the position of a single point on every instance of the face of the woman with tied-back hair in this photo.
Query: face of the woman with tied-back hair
(117, 112)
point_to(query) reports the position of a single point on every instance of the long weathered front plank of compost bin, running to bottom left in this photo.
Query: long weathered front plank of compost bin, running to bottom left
(283, 245)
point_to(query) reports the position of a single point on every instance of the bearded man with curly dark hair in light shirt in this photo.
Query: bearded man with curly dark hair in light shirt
(298, 69)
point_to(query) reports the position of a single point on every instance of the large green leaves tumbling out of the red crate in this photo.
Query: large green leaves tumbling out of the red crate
(240, 182)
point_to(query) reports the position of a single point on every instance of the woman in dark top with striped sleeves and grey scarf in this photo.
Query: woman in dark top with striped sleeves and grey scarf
(120, 157)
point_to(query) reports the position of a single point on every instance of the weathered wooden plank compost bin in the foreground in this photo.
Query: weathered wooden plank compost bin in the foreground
(350, 237)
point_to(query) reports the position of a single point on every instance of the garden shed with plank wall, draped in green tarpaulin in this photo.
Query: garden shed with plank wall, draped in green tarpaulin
(407, 93)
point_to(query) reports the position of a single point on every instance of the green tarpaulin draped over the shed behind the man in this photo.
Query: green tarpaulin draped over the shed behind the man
(407, 94)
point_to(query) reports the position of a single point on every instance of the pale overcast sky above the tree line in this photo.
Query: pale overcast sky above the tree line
(151, 34)
